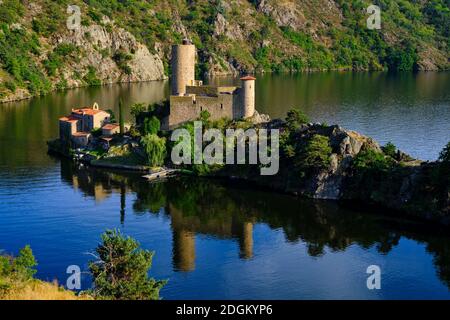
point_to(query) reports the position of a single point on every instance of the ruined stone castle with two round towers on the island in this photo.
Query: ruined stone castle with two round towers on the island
(190, 97)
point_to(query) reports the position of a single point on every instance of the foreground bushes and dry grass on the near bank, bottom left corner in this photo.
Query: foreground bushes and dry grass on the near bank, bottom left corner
(120, 272)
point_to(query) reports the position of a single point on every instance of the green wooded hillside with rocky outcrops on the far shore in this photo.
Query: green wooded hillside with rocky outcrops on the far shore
(129, 40)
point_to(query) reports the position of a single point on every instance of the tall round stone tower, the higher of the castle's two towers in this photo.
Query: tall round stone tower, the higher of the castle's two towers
(183, 67)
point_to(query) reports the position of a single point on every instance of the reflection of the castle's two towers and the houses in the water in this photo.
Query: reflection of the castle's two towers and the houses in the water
(151, 198)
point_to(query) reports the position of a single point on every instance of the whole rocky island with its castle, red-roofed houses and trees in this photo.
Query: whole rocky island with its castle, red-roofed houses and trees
(315, 160)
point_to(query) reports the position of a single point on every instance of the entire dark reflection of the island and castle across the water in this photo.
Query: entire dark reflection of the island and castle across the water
(215, 209)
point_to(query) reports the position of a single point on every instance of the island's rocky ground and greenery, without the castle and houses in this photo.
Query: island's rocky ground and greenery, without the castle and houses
(317, 161)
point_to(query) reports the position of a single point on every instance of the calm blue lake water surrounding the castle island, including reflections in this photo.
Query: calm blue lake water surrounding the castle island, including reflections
(214, 240)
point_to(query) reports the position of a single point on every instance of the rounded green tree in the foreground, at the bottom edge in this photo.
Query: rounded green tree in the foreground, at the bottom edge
(122, 270)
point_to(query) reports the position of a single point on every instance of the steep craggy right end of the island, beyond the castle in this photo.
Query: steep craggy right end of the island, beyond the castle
(357, 169)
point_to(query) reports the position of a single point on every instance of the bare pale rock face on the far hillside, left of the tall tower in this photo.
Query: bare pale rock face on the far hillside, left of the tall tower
(97, 46)
